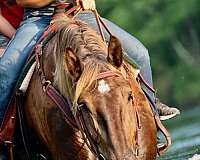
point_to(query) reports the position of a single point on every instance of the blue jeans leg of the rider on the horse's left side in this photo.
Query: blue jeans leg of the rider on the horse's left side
(16, 53)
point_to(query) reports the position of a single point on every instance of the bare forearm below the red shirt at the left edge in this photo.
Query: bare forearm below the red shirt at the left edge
(6, 28)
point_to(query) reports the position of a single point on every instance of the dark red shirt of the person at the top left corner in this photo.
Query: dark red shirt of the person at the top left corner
(12, 12)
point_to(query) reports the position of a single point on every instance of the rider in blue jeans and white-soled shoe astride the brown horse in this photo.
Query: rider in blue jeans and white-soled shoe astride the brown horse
(37, 16)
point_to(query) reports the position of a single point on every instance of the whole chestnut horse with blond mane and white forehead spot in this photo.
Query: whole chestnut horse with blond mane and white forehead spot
(95, 77)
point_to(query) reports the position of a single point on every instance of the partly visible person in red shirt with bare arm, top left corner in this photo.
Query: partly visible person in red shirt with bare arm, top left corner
(10, 17)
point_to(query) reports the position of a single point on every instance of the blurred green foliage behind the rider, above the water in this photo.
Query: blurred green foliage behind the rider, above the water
(170, 29)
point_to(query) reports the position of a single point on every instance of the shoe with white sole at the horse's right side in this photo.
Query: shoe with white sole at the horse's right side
(166, 112)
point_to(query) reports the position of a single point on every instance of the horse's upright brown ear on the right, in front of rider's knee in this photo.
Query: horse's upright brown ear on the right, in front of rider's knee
(114, 52)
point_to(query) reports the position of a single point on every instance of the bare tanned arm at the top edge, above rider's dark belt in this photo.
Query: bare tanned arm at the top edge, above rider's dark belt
(34, 3)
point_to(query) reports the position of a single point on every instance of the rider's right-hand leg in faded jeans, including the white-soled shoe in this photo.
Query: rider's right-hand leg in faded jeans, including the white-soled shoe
(135, 49)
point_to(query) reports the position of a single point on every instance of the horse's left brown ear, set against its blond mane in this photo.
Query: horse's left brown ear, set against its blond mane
(72, 64)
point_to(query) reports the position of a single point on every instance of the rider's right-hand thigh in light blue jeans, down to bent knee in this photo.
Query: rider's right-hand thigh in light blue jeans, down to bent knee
(131, 45)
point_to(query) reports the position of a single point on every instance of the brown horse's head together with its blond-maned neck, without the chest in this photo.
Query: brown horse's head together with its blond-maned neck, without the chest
(105, 88)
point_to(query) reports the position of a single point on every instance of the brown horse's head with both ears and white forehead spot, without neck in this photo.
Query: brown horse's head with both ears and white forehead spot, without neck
(107, 101)
